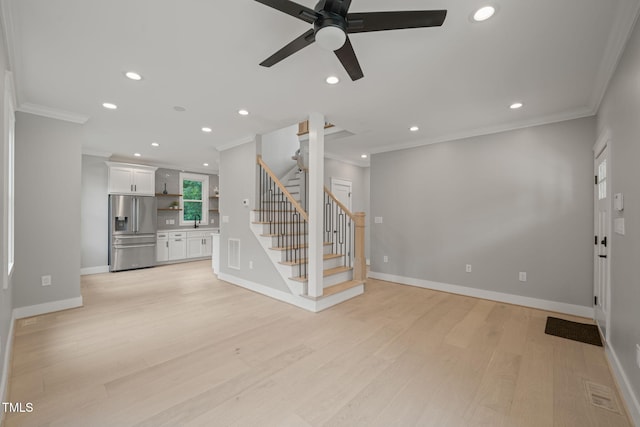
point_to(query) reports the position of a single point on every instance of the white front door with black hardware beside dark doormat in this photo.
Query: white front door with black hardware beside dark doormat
(602, 201)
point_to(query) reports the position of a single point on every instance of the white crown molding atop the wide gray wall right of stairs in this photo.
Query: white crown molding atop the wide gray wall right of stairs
(538, 121)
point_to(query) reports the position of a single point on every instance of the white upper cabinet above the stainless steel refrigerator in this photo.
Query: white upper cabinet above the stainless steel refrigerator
(126, 178)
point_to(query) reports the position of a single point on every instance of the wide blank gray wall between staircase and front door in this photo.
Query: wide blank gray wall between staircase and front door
(505, 203)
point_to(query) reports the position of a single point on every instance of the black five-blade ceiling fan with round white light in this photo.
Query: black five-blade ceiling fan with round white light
(332, 22)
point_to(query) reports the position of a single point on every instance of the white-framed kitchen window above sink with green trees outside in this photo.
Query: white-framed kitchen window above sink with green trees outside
(195, 199)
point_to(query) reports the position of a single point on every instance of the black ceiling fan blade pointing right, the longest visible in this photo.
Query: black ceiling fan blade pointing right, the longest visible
(381, 21)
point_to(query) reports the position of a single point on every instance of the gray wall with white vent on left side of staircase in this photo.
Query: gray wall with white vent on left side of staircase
(235, 187)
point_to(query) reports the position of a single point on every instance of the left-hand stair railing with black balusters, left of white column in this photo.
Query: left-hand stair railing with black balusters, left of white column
(287, 220)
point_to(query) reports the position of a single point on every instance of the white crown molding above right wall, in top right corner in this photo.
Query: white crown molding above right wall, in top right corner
(622, 29)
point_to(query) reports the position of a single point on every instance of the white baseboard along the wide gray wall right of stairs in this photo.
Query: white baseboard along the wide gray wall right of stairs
(559, 307)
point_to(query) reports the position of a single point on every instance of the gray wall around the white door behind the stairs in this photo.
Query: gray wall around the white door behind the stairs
(359, 177)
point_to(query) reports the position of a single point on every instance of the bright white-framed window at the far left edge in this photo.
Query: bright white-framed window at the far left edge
(9, 178)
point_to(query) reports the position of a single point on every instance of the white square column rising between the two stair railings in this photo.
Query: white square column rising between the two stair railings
(316, 198)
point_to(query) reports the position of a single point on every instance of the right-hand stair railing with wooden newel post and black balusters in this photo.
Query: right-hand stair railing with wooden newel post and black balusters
(345, 231)
